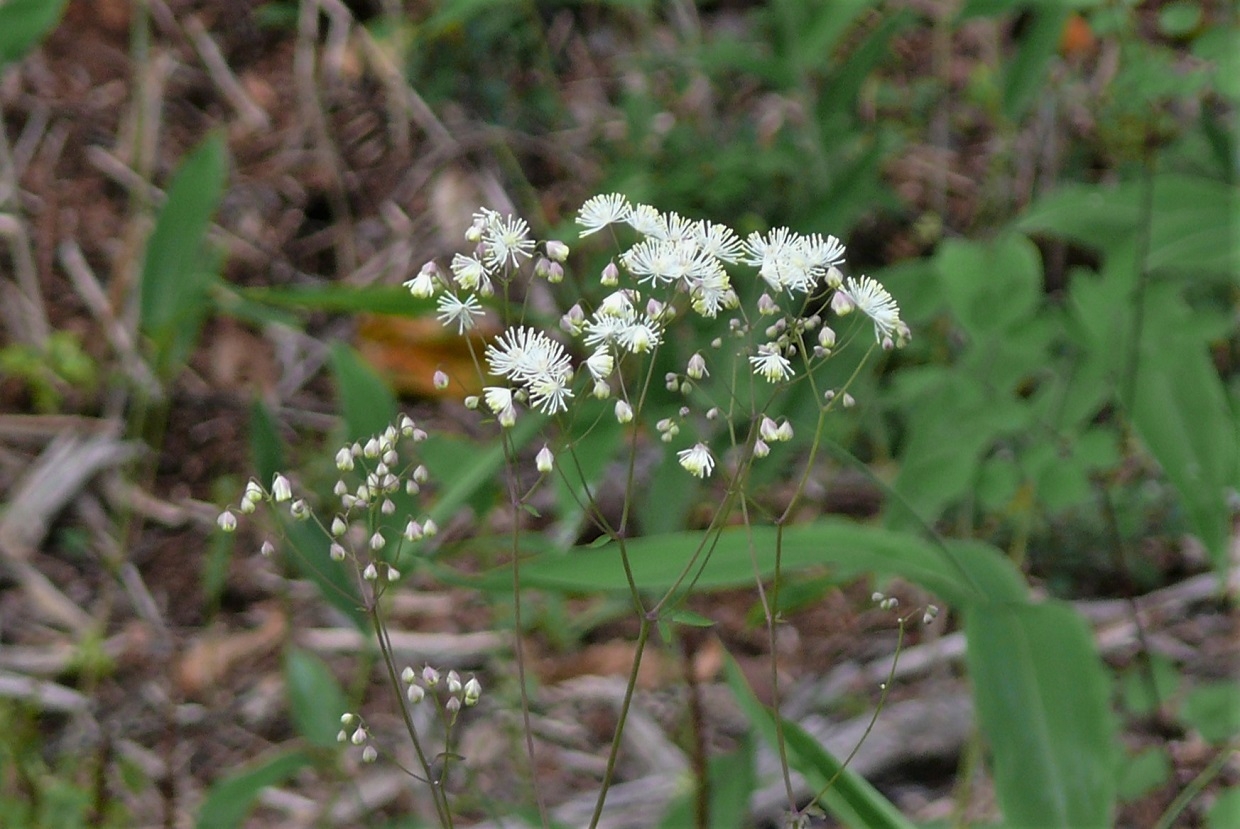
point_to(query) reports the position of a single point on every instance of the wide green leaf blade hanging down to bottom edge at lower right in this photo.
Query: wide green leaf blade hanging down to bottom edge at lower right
(1041, 693)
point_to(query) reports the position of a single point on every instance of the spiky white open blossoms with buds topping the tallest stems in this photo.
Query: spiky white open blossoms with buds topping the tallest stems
(676, 266)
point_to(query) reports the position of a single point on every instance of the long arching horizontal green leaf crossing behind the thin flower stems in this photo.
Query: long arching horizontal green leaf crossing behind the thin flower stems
(960, 573)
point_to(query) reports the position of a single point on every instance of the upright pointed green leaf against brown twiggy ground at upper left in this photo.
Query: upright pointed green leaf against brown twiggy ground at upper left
(177, 274)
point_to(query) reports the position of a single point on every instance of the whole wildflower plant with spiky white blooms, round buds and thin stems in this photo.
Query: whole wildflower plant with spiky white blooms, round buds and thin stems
(772, 304)
